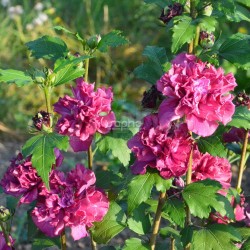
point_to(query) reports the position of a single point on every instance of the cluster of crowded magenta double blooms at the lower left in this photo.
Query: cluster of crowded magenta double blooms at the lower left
(72, 201)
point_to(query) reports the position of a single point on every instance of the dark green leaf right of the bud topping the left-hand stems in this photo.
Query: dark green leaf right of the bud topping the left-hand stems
(112, 39)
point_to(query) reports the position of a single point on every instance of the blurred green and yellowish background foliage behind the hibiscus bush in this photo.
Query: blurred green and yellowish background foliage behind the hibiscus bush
(24, 21)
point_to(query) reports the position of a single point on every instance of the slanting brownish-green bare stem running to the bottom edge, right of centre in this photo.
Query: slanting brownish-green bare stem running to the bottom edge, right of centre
(157, 221)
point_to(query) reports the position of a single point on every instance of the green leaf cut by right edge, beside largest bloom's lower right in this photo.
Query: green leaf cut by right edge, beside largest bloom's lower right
(241, 118)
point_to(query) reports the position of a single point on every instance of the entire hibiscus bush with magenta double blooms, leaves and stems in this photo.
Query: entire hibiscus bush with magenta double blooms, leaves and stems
(169, 179)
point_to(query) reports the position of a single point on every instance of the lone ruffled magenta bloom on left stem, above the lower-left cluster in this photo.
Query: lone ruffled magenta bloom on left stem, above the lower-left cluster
(85, 114)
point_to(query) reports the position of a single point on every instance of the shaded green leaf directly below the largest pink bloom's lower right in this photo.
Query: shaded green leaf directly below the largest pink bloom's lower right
(212, 145)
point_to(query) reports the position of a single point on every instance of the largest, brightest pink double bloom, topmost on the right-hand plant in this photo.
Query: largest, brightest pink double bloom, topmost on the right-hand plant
(197, 91)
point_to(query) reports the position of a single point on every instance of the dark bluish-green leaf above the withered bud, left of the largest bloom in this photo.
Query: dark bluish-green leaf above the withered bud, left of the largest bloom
(154, 67)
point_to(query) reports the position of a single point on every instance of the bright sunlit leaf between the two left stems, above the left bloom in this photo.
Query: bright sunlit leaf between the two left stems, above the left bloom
(68, 69)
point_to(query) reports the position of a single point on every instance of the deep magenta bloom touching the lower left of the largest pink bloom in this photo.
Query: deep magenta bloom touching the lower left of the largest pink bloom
(167, 150)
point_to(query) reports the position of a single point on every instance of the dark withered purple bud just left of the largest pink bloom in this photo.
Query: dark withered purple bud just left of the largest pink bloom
(150, 98)
